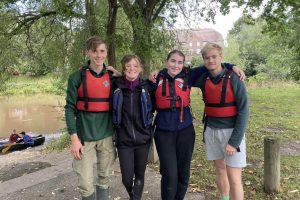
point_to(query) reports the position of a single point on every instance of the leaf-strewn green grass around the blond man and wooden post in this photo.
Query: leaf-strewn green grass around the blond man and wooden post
(274, 111)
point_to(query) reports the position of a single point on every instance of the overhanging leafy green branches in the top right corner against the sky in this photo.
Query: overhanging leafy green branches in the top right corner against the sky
(282, 19)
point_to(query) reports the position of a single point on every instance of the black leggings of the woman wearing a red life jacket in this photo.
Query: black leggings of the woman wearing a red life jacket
(175, 151)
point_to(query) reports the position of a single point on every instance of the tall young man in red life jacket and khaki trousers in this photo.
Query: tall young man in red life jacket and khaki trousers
(89, 122)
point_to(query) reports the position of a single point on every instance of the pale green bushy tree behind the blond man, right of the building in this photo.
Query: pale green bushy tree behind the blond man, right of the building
(260, 51)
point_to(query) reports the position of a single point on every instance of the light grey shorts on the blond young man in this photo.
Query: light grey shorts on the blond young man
(216, 141)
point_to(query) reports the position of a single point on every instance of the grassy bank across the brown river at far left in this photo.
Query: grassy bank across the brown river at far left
(28, 85)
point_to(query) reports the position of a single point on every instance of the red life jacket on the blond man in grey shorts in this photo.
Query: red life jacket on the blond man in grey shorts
(219, 98)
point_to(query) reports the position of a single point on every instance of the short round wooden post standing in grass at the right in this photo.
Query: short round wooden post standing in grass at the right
(271, 165)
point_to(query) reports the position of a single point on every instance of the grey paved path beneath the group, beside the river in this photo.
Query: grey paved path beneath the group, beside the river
(31, 175)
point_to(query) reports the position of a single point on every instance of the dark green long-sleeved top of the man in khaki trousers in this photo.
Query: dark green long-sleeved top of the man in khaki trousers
(90, 126)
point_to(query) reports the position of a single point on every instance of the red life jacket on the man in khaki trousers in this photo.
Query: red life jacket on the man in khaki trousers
(93, 92)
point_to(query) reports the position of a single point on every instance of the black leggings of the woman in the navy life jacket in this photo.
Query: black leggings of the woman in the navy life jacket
(133, 161)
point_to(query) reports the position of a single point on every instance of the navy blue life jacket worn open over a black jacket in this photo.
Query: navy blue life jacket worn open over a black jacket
(145, 102)
